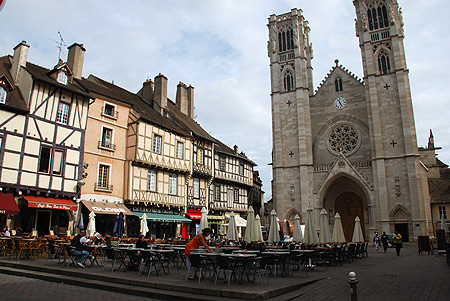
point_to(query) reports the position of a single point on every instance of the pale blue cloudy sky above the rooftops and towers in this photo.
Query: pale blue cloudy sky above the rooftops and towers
(220, 48)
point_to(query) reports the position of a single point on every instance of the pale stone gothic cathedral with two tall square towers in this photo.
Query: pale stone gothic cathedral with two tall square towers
(349, 147)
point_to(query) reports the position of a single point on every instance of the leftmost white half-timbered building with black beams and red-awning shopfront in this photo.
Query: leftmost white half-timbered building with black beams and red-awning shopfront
(43, 122)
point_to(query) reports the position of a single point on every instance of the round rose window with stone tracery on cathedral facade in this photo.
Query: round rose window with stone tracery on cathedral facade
(343, 139)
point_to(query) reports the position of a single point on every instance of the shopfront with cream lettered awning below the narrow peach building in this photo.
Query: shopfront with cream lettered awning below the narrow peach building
(105, 214)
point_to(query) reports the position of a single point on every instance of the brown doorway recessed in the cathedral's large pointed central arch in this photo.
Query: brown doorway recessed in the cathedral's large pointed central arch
(349, 205)
